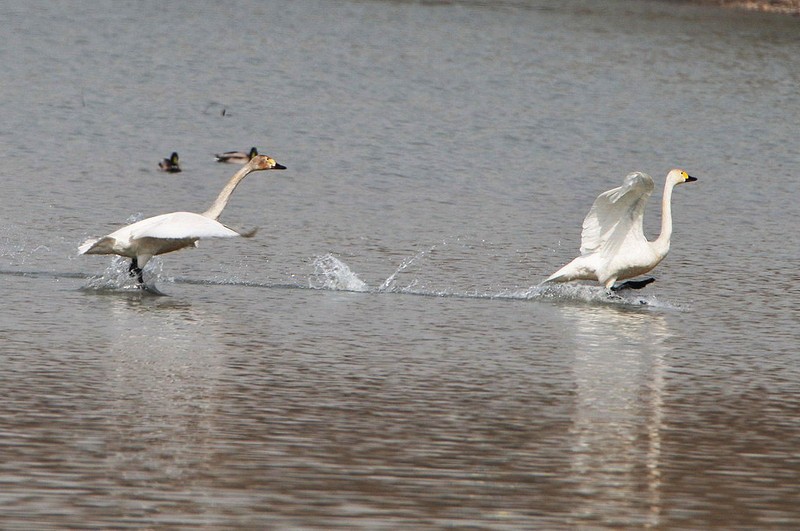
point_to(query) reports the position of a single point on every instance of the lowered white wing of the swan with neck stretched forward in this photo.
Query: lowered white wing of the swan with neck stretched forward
(176, 226)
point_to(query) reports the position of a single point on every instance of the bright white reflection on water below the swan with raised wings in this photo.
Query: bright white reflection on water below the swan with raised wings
(616, 434)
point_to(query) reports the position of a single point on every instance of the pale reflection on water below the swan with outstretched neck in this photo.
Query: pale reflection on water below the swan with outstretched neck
(163, 366)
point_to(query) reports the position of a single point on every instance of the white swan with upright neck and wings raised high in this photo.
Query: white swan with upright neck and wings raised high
(613, 245)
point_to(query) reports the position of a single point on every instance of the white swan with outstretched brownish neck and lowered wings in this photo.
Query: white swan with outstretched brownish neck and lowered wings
(149, 237)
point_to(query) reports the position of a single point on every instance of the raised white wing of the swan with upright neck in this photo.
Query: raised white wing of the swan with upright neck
(617, 214)
